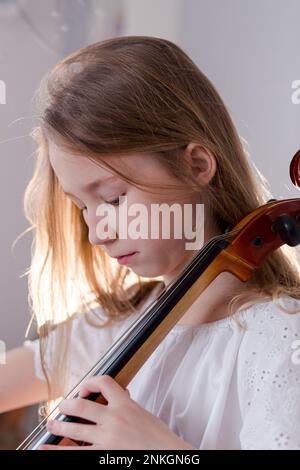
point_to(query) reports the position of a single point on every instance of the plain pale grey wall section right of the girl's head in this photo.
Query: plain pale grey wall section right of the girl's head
(250, 50)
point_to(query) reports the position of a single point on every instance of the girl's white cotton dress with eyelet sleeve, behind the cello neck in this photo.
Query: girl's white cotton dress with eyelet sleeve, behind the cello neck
(230, 384)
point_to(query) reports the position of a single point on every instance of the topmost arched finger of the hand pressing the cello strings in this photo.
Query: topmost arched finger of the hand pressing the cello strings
(104, 384)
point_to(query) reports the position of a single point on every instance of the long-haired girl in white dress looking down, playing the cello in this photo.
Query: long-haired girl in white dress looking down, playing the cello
(134, 117)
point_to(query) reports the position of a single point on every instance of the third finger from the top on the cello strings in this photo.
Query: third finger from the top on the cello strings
(74, 431)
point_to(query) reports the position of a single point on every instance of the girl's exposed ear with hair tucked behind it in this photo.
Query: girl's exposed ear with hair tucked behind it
(201, 162)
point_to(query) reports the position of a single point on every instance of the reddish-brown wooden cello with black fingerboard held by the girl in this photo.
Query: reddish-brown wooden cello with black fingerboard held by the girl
(239, 251)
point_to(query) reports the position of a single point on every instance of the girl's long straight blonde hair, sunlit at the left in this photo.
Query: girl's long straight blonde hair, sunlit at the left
(127, 95)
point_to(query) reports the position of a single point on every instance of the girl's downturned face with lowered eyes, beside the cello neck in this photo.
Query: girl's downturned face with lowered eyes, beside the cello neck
(89, 185)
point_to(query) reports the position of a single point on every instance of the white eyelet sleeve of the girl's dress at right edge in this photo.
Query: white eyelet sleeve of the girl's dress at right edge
(269, 379)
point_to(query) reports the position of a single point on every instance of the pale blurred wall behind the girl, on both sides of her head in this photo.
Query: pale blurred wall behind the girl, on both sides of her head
(248, 48)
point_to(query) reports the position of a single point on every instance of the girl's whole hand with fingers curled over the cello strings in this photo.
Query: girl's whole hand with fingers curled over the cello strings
(120, 424)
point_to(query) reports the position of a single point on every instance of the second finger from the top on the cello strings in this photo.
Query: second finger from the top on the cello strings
(85, 409)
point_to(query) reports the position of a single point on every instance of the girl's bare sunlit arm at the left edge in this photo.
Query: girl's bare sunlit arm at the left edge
(19, 385)
